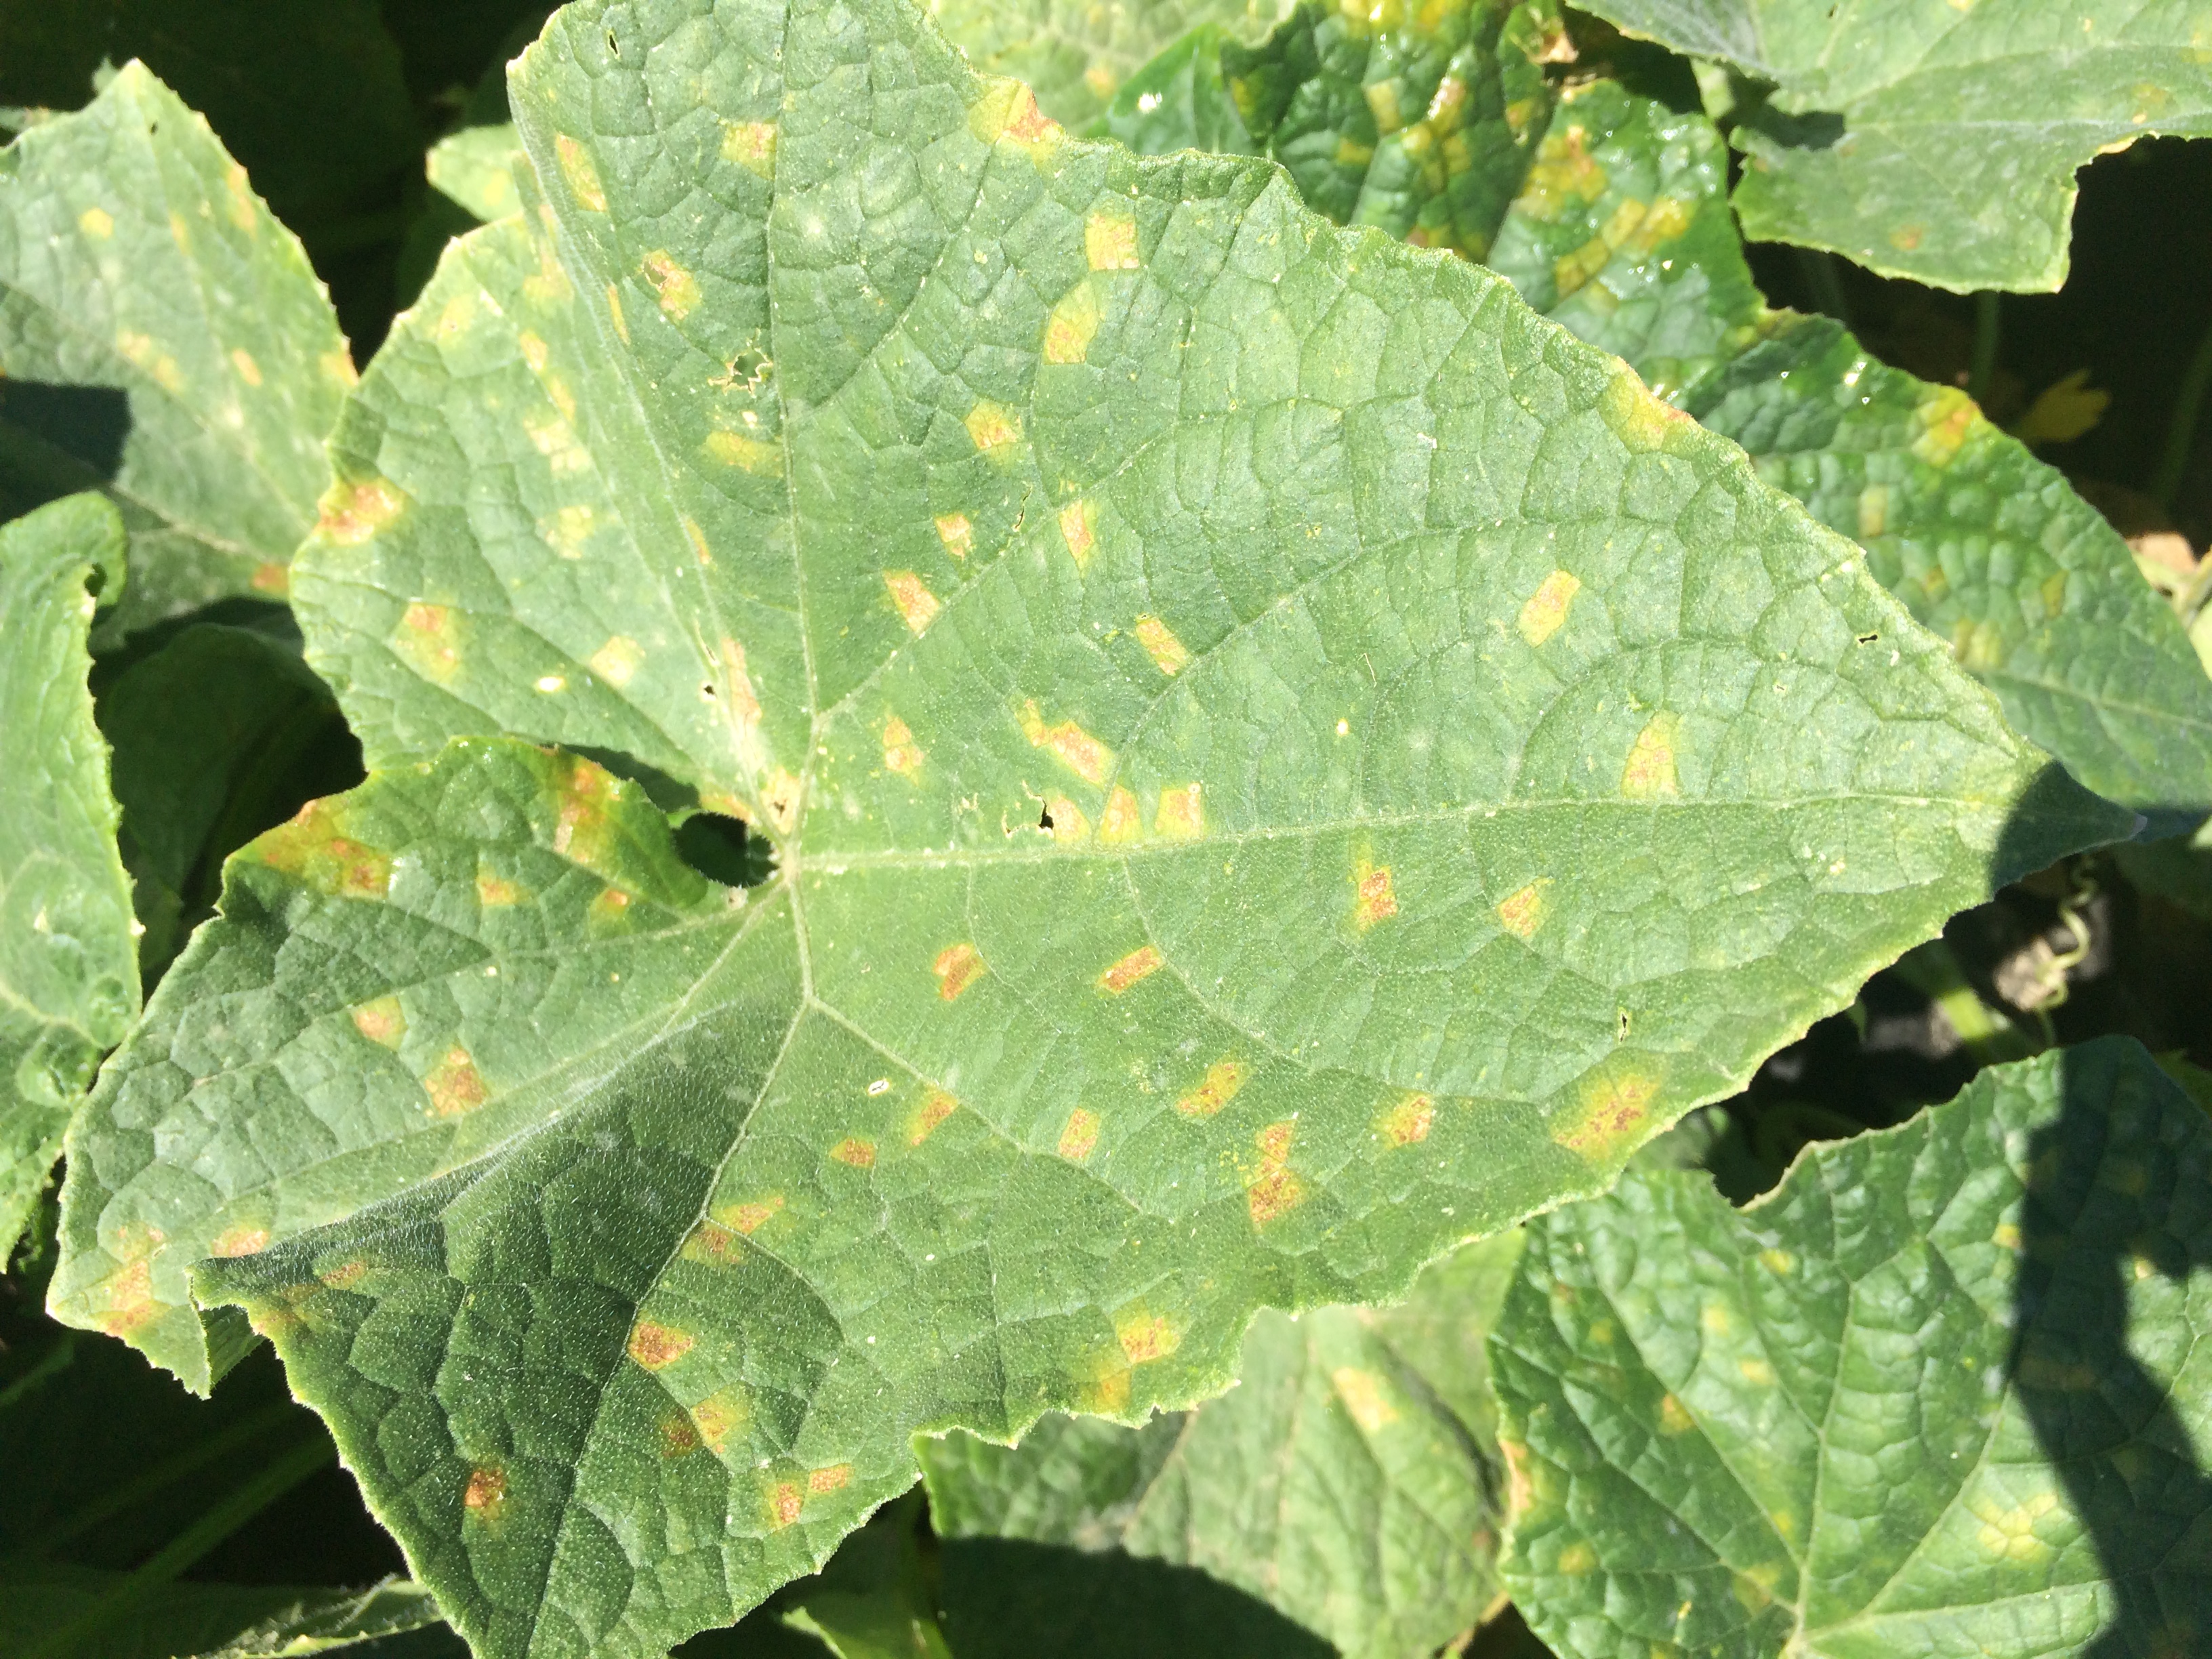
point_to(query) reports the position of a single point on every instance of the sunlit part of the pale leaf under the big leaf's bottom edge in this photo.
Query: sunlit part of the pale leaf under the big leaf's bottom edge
(1350, 1479)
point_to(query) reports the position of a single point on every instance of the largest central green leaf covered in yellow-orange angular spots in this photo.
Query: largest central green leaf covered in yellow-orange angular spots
(1457, 766)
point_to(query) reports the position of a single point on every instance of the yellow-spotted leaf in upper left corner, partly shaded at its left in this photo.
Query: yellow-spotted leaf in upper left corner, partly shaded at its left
(163, 340)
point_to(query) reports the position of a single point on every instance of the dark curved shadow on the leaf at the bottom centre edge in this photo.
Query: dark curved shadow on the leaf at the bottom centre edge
(1019, 1600)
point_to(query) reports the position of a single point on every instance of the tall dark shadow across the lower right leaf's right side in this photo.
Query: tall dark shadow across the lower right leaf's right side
(2120, 1207)
